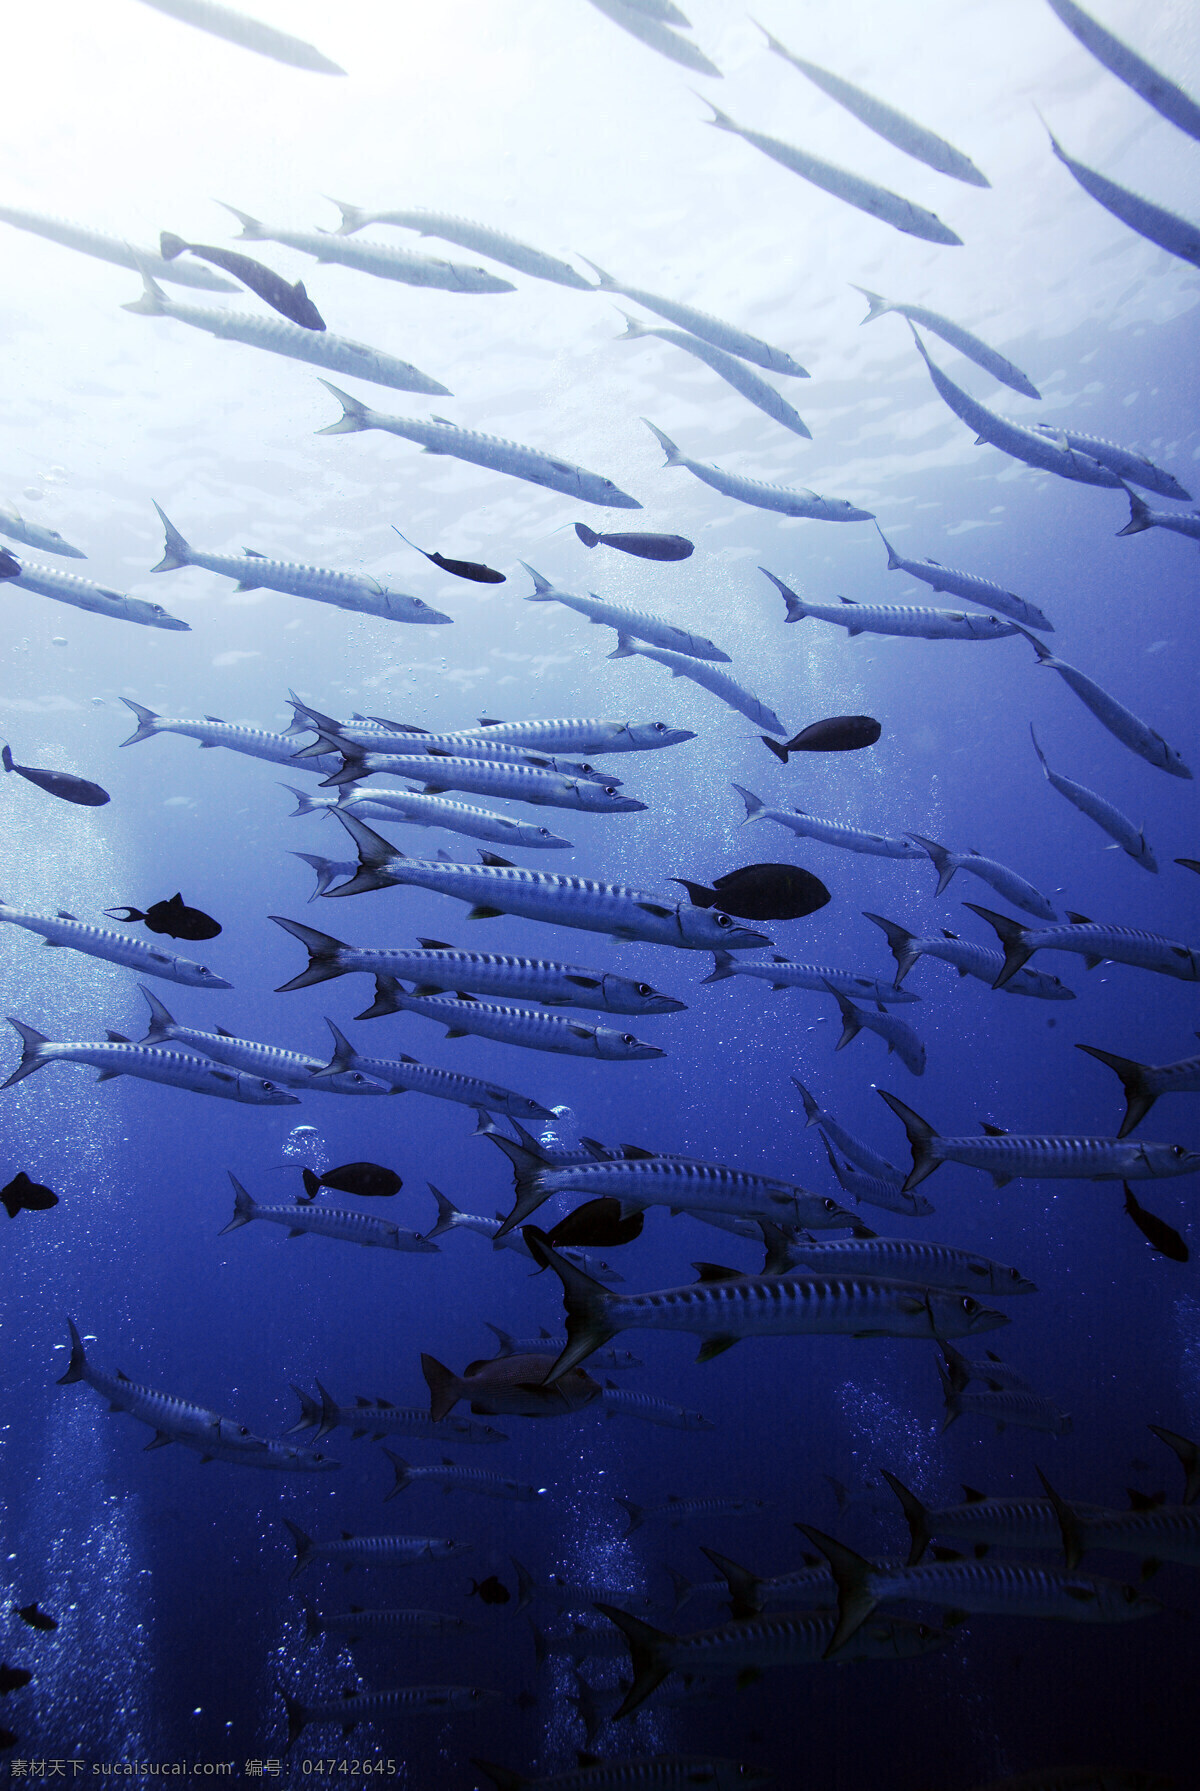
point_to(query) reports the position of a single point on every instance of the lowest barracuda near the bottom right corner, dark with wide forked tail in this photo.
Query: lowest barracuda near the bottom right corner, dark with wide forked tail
(1009, 1591)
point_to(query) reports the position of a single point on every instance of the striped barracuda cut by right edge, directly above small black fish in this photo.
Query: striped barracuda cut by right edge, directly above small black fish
(1007, 1156)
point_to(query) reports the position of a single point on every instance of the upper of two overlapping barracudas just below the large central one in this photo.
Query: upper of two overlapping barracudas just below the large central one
(438, 968)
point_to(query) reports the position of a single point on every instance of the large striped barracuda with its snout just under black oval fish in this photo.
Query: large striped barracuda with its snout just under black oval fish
(497, 887)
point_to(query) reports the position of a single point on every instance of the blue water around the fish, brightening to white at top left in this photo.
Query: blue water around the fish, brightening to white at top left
(178, 1624)
